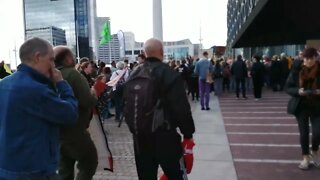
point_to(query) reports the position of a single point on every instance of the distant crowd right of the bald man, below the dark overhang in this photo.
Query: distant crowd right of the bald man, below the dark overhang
(232, 75)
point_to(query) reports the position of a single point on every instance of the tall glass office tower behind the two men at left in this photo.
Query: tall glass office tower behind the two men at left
(68, 15)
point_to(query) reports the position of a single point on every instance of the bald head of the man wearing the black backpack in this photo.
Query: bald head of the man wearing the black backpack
(153, 48)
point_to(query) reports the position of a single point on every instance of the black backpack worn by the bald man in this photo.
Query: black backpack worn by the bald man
(144, 102)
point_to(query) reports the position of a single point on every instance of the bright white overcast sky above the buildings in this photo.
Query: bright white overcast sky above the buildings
(181, 20)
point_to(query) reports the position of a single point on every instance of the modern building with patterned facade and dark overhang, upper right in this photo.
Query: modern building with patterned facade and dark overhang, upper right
(270, 26)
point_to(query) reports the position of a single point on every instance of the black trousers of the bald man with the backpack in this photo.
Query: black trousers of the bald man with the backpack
(162, 149)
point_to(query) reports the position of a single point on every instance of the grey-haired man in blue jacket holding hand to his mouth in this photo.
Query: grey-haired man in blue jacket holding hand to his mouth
(34, 102)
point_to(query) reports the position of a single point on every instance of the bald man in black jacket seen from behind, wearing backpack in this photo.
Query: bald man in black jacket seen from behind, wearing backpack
(162, 146)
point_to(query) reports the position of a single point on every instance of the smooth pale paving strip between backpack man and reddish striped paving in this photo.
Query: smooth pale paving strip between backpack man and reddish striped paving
(212, 153)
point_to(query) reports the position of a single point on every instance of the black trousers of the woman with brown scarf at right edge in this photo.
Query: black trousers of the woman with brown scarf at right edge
(303, 123)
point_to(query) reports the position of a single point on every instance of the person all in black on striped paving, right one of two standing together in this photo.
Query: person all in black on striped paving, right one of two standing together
(257, 73)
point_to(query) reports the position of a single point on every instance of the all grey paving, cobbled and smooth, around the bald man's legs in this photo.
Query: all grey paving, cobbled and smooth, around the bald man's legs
(212, 153)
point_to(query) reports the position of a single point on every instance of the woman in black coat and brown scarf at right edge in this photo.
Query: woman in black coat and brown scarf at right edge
(303, 85)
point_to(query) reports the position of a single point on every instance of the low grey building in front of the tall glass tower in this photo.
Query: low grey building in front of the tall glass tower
(54, 35)
